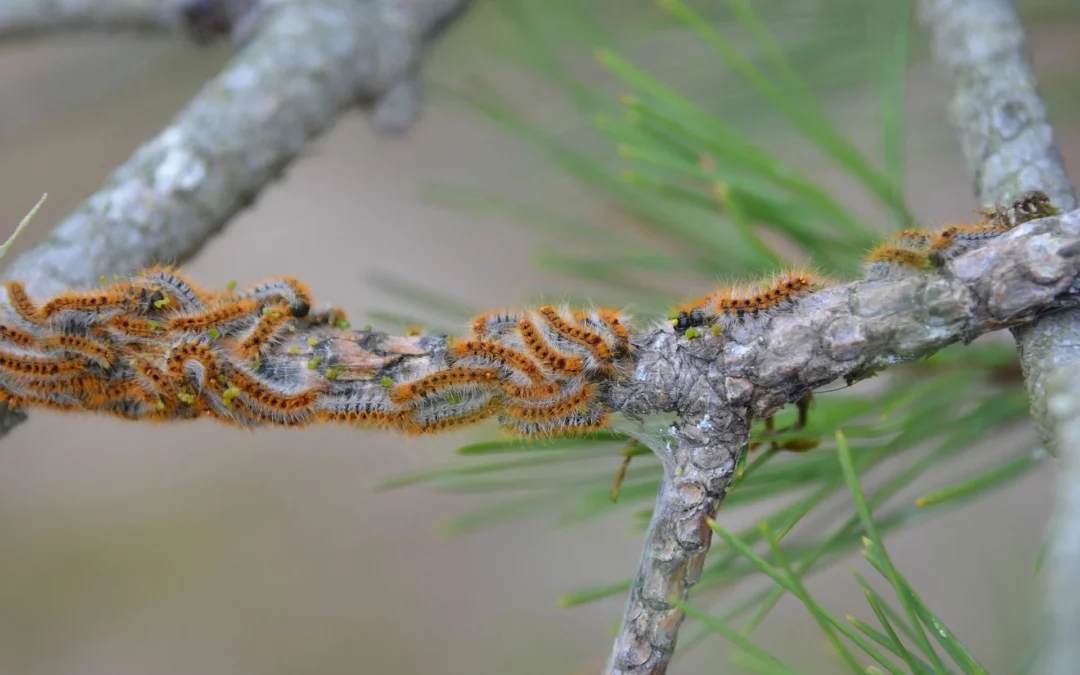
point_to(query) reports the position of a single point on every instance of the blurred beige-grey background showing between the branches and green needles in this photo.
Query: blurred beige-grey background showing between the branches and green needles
(201, 549)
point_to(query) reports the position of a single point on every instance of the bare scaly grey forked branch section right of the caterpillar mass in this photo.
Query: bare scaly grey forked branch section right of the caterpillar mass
(718, 384)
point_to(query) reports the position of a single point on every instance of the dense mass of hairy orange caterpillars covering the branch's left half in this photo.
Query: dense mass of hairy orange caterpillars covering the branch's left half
(158, 347)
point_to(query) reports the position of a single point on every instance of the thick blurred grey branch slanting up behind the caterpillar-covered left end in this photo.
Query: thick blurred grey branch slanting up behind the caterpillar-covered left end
(307, 63)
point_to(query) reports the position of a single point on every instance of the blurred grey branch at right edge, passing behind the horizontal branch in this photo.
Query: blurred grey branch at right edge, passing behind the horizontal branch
(1008, 144)
